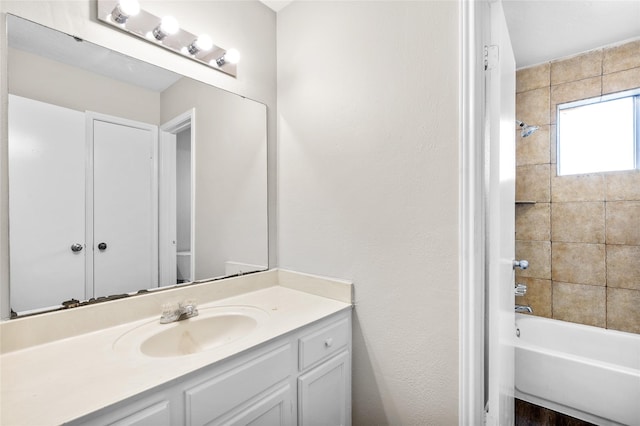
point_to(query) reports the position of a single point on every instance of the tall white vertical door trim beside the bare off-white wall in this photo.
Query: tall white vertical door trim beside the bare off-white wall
(471, 216)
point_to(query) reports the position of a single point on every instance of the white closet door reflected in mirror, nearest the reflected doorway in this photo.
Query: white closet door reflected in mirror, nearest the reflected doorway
(125, 200)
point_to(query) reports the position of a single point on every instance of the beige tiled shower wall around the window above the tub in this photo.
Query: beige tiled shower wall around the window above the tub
(580, 233)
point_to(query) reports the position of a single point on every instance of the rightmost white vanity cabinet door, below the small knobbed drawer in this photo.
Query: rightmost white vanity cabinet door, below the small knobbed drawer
(325, 393)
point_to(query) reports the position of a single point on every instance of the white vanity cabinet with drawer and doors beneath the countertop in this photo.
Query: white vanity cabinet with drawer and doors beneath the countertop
(303, 377)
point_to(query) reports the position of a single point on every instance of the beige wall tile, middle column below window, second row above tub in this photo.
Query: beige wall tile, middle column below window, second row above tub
(578, 263)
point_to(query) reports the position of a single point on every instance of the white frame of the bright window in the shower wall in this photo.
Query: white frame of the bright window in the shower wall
(633, 93)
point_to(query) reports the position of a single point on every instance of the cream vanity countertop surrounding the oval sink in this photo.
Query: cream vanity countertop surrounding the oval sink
(62, 380)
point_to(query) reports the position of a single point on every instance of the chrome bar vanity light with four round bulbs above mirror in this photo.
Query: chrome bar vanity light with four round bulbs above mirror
(128, 16)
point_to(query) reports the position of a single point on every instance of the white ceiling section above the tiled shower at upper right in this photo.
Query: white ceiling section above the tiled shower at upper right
(541, 31)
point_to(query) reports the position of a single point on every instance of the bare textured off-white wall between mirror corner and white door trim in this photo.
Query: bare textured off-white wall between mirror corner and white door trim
(368, 189)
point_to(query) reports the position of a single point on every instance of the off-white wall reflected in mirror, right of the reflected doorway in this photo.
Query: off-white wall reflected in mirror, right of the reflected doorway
(230, 169)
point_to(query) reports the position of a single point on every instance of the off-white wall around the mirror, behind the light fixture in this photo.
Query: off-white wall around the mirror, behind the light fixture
(248, 26)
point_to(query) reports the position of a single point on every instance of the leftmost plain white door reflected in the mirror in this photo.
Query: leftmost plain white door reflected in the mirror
(46, 204)
